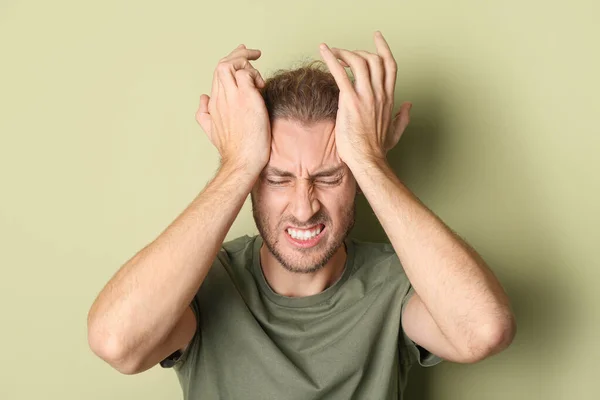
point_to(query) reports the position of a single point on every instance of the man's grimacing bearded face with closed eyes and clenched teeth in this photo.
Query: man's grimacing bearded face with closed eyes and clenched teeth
(303, 202)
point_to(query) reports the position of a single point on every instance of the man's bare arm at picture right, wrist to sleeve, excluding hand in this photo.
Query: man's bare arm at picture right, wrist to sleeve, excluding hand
(459, 311)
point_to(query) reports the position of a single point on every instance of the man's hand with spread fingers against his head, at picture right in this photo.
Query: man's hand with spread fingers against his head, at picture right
(364, 129)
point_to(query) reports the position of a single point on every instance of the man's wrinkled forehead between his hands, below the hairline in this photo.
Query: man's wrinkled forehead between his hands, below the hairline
(299, 148)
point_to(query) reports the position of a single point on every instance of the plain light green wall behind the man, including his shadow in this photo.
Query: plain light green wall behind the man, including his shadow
(99, 151)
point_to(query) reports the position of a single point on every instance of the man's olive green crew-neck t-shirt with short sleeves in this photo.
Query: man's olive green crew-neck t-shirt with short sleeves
(344, 343)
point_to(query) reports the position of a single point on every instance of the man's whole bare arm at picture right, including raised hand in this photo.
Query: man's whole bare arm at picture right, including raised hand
(459, 311)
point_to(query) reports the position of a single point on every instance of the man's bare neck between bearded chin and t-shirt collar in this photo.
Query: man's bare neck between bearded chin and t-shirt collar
(295, 284)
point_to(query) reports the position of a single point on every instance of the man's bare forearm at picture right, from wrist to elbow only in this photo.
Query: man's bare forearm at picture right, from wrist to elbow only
(459, 290)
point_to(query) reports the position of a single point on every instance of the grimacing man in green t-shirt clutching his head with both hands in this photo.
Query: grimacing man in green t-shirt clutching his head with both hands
(301, 311)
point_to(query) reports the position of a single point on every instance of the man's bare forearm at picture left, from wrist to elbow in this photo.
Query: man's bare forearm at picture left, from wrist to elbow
(145, 299)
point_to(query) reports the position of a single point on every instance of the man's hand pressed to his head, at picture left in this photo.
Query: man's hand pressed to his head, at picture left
(235, 117)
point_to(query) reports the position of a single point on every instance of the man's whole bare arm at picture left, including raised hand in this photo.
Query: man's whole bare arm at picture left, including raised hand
(142, 315)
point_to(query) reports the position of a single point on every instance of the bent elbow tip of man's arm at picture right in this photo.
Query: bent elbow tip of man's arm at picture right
(491, 338)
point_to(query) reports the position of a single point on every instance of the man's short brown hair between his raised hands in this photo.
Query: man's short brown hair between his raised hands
(306, 94)
